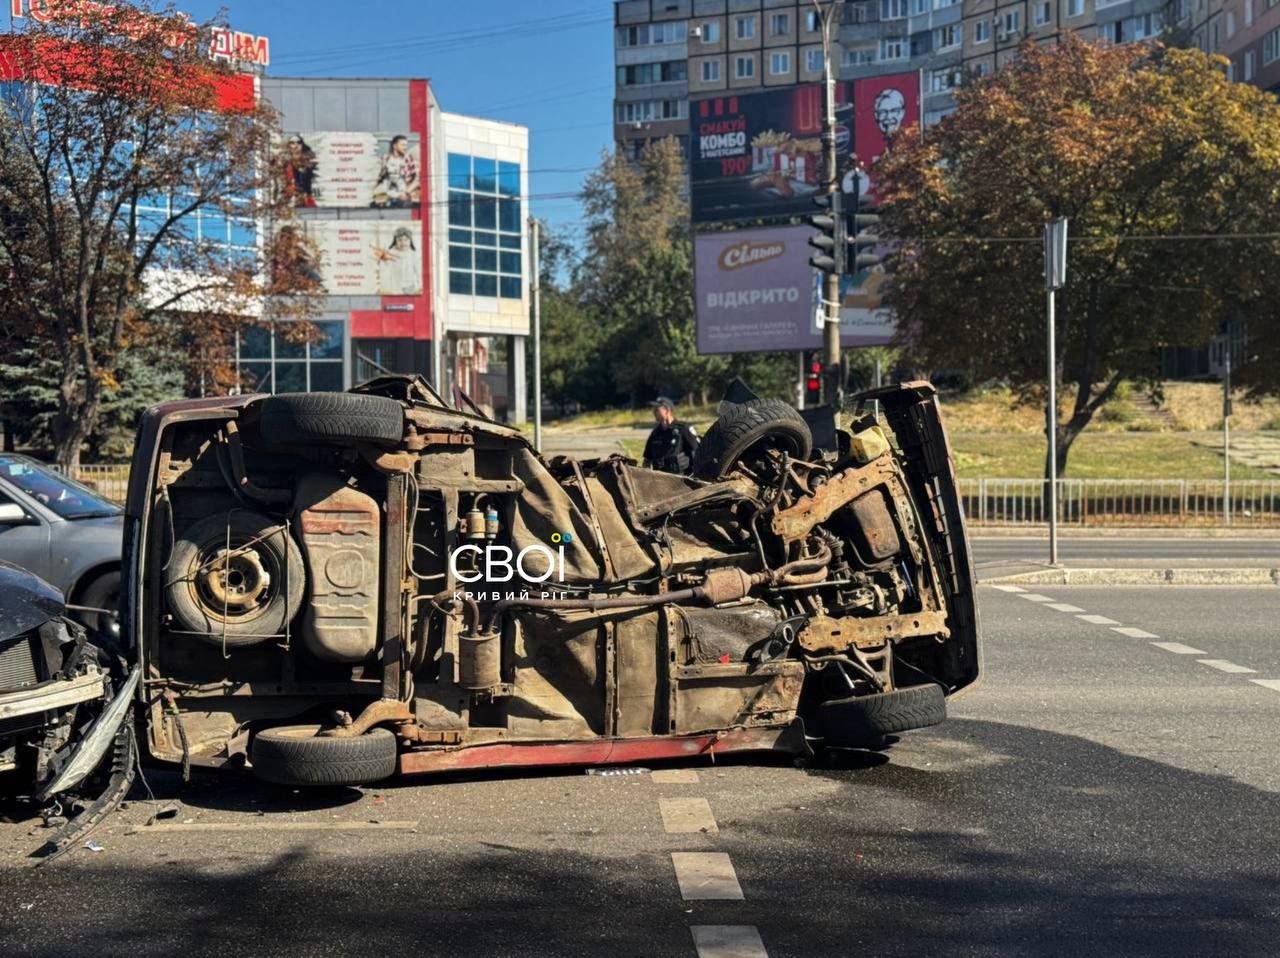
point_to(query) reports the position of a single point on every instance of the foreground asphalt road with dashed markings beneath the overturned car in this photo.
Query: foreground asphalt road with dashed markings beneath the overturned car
(1098, 795)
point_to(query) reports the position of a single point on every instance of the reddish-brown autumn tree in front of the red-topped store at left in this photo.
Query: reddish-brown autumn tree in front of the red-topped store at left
(109, 150)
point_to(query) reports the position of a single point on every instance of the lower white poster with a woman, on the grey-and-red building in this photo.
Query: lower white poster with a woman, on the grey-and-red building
(369, 258)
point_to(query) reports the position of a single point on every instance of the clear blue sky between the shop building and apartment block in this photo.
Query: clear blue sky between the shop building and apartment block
(547, 65)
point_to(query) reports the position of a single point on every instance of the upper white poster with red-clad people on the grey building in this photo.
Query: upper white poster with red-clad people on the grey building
(353, 171)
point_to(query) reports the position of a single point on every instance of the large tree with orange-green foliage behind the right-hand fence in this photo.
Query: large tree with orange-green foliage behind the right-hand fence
(1163, 166)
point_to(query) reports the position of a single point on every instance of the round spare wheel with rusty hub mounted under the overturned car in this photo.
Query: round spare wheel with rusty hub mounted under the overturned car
(264, 585)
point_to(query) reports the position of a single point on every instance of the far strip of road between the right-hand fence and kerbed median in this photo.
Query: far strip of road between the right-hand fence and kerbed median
(1128, 550)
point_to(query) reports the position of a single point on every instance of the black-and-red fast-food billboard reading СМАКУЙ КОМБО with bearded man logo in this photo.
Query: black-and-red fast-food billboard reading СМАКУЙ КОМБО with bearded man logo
(760, 156)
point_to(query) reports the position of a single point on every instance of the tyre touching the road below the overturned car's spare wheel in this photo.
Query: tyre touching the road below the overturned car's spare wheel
(299, 756)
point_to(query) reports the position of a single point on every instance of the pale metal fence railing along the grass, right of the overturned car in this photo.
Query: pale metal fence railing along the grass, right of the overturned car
(1117, 503)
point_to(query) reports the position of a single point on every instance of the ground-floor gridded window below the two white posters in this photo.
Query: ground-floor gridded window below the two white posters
(273, 359)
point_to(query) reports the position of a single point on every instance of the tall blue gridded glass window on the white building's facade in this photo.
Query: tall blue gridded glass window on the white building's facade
(487, 238)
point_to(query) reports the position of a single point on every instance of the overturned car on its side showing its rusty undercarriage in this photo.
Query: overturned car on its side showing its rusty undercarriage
(337, 587)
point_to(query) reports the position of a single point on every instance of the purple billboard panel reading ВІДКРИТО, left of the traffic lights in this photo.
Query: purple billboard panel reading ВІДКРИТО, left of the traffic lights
(755, 290)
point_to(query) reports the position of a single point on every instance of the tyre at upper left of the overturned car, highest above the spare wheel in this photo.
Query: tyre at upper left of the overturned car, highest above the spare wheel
(331, 418)
